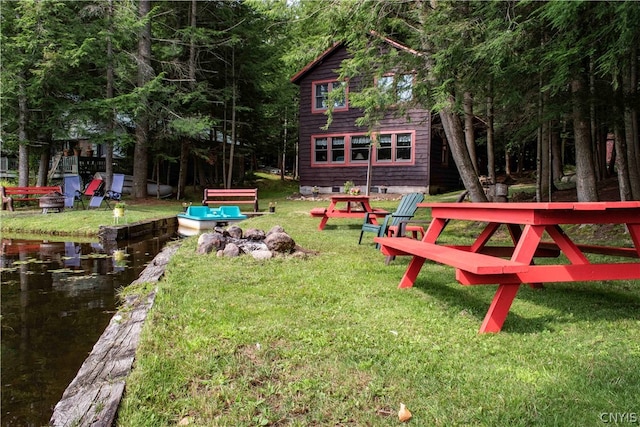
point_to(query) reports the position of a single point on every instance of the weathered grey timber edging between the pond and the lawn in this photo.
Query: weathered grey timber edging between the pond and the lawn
(93, 397)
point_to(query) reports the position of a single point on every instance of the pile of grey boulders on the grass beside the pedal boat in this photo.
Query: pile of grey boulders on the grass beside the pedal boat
(233, 242)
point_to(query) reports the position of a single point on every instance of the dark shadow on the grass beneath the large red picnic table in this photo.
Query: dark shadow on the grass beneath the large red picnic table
(573, 302)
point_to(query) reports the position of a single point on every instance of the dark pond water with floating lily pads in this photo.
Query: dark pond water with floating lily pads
(57, 299)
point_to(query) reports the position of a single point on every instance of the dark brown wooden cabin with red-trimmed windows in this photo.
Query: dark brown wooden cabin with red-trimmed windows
(410, 154)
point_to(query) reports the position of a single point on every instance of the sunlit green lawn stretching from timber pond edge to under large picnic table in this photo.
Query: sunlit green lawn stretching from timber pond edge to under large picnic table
(330, 340)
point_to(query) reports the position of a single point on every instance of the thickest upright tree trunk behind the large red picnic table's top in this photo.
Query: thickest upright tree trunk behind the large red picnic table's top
(585, 177)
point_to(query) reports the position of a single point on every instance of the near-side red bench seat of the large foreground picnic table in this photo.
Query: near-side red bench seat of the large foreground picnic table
(472, 262)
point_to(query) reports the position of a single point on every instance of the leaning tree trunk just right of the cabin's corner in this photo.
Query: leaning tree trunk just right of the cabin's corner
(455, 136)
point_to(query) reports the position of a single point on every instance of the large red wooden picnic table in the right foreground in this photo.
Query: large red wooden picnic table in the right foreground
(479, 263)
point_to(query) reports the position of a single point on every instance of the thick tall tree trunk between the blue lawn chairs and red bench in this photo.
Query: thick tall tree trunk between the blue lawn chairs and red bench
(140, 156)
